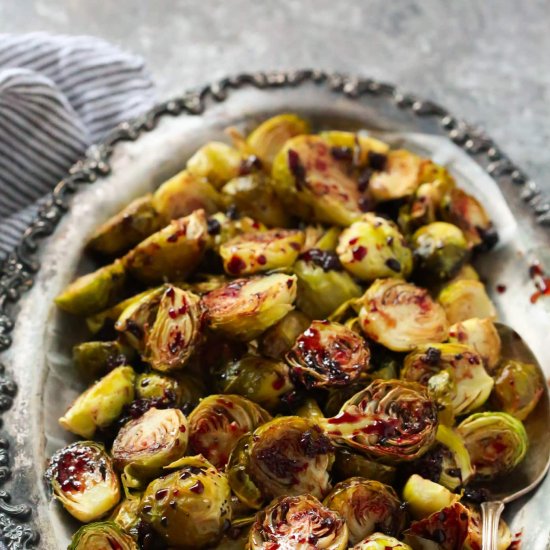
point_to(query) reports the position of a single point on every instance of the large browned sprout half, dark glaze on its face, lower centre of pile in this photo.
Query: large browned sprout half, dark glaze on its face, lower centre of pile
(289, 455)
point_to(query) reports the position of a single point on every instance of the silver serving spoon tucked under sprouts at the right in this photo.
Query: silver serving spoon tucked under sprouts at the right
(531, 471)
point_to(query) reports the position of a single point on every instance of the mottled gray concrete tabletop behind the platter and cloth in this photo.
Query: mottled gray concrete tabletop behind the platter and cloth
(486, 60)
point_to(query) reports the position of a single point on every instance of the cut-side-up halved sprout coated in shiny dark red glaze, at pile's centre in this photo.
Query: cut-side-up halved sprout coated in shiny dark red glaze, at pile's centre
(328, 355)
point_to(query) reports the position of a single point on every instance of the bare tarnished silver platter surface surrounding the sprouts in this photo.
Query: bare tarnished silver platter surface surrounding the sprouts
(38, 358)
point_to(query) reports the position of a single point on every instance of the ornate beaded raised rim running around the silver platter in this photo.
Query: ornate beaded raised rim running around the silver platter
(18, 528)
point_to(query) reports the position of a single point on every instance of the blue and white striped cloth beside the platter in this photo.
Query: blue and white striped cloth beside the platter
(58, 95)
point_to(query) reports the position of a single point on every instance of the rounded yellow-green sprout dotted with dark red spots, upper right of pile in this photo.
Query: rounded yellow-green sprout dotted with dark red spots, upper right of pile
(373, 247)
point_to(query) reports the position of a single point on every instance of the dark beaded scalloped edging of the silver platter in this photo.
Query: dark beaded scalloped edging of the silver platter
(16, 530)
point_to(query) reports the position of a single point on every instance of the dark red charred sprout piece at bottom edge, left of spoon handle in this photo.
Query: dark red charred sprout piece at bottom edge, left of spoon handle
(446, 529)
